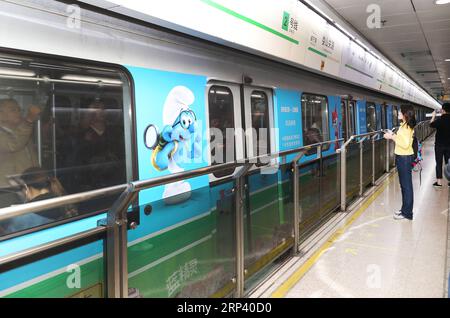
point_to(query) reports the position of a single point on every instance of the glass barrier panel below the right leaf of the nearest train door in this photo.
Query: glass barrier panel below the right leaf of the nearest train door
(268, 219)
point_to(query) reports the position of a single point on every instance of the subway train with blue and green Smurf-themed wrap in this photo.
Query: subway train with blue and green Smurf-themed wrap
(123, 101)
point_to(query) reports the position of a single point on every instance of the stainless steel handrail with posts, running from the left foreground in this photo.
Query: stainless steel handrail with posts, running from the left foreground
(116, 229)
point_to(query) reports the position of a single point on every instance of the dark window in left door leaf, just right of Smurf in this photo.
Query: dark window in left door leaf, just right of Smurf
(221, 118)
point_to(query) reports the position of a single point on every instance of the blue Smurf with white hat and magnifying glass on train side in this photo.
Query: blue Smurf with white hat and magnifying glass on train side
(177, 143)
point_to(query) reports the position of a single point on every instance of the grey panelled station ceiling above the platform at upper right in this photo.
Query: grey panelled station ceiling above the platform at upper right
(414, 34)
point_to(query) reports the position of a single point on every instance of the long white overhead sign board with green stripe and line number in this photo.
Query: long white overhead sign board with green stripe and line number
(285, 29)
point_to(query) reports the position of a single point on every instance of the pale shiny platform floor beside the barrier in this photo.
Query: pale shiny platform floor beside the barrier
(378, 256)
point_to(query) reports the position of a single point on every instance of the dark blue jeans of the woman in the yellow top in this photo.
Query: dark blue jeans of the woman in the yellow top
(404, 167)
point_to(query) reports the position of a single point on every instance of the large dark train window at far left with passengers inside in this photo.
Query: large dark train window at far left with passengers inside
(61, 132)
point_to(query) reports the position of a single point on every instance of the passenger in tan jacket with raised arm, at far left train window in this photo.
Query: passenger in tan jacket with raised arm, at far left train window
(17, 152)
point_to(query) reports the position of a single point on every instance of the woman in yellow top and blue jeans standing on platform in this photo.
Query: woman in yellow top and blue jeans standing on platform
(404, 156)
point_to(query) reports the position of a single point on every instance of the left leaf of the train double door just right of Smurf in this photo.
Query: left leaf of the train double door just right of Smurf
(224, 116)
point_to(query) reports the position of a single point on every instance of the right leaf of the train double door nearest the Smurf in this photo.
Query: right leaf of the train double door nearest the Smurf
(264, 216)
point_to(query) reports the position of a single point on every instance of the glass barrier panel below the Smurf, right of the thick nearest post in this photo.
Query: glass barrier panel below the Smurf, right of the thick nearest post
(185, 245)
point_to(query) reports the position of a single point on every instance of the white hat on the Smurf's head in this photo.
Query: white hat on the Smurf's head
(179, 99)
